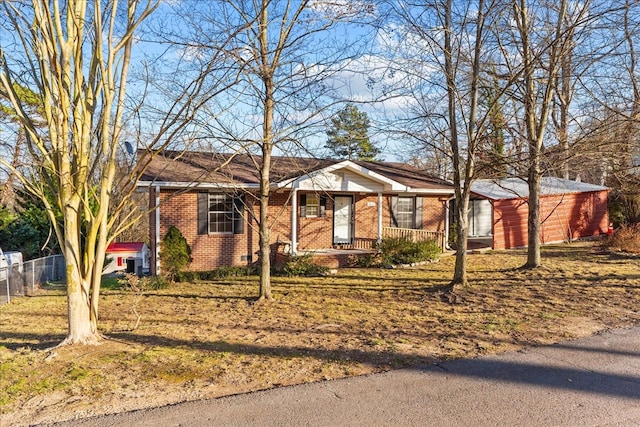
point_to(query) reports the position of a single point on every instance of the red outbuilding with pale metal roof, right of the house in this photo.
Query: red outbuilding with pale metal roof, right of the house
(568, 210)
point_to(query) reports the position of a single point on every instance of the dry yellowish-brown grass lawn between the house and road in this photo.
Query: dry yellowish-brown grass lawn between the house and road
(211, 339)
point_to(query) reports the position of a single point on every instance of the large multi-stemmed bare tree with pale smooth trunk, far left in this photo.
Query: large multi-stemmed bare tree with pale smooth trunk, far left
(75, 56)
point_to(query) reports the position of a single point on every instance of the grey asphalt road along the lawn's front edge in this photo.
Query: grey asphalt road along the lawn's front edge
(592, 381)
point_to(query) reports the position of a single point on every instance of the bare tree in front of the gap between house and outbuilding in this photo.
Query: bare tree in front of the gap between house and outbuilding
(454, 34)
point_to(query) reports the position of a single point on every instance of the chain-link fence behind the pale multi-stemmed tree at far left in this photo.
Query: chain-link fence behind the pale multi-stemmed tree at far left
(23, 279)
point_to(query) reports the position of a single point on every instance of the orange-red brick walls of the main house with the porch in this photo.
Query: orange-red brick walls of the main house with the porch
(212, 251)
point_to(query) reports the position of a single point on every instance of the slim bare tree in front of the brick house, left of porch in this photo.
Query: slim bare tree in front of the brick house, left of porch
(289, 64)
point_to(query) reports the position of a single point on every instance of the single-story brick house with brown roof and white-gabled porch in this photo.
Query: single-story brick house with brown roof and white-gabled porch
(315, 205)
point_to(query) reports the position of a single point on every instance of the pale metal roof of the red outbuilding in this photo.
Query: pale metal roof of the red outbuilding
(514, 188)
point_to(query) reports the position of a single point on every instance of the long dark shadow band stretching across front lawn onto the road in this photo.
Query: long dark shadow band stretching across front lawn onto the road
(496, 368)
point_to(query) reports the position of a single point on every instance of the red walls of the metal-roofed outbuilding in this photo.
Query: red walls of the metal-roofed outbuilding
(564, 217)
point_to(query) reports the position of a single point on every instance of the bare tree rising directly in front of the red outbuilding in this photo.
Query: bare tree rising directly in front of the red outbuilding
(543, 36)
